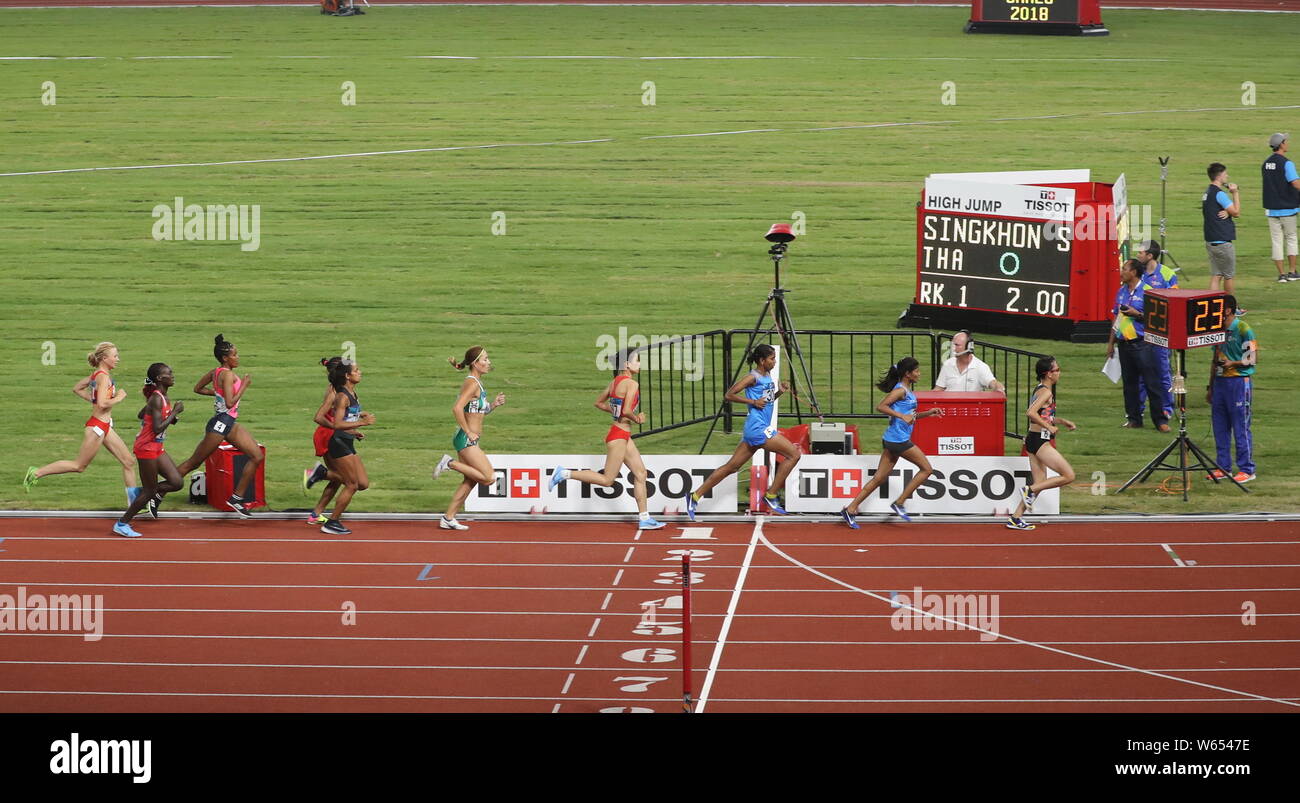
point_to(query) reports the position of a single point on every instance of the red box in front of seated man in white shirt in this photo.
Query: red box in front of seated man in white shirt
(973, 424)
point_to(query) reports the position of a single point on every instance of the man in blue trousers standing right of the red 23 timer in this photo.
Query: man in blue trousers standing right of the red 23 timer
(1229, 394)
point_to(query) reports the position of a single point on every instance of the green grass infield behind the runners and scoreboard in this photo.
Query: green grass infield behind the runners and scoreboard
(396, 253)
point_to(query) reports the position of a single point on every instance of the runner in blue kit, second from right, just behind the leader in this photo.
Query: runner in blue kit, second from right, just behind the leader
(900, 405)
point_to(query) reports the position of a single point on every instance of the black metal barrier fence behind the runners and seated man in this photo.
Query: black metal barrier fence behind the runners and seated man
(683, 380)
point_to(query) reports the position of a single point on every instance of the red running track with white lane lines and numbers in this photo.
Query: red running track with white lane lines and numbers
(552, 617)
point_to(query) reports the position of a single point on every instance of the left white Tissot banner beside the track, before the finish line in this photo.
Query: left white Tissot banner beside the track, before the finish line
(522, 485)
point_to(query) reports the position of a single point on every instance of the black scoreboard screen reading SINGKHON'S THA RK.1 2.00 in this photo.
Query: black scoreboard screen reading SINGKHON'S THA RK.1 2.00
(995, 264)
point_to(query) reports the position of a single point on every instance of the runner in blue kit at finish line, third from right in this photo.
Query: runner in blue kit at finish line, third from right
(760, 390)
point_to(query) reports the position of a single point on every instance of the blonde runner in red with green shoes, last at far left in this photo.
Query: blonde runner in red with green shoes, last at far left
(102, 393)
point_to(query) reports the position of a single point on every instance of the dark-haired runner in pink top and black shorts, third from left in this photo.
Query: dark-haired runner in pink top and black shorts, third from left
(224, 426)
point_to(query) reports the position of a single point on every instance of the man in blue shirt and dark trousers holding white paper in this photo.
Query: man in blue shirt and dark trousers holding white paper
(1137, 357)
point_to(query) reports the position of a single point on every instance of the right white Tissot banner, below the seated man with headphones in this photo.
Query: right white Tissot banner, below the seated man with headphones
(824, 484)
